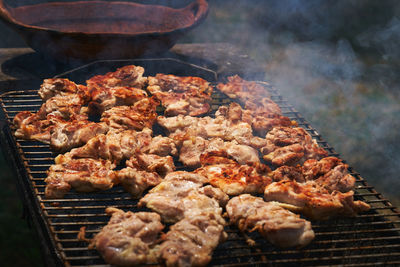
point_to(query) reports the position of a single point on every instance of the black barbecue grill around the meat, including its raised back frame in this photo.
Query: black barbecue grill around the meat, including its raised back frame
(370, 239)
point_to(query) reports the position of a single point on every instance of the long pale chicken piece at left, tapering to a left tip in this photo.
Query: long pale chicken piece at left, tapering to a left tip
(114, 146)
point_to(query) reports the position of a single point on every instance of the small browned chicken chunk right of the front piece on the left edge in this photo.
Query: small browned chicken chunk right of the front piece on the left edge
(136, 181)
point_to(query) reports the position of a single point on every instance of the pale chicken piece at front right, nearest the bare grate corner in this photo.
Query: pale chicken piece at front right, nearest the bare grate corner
(276, 224)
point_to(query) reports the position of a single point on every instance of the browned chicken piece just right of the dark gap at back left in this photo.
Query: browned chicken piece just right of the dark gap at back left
(142, 114)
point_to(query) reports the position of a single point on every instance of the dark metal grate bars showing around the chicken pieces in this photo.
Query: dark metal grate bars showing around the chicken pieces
(371, 238)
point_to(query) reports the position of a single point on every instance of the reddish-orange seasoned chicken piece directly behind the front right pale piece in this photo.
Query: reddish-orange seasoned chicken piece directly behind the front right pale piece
(235, 179)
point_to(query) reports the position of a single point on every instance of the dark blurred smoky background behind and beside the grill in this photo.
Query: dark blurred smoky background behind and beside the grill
(336, 61)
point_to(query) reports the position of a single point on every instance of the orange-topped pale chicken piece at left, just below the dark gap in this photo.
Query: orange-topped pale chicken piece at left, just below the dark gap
(67, 135)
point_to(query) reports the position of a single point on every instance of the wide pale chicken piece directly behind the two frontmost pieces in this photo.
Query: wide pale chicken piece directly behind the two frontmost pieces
(178, 196)
